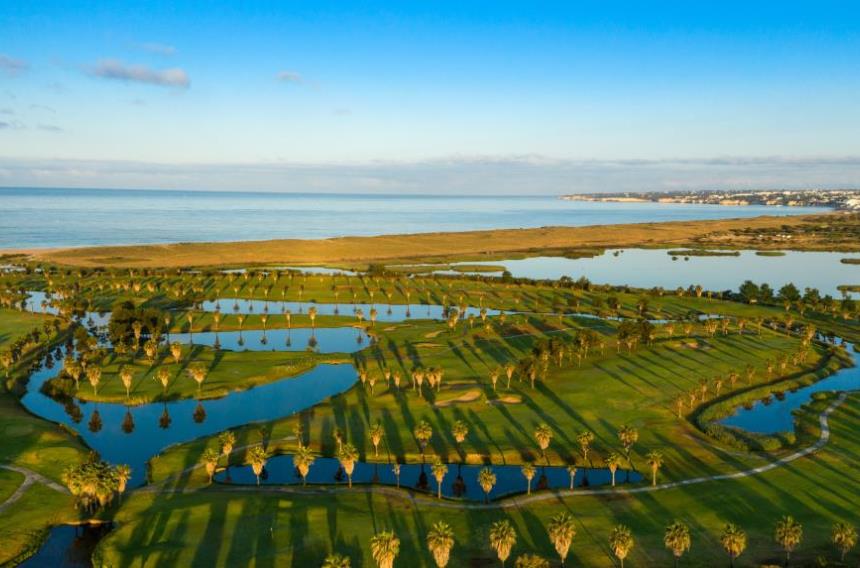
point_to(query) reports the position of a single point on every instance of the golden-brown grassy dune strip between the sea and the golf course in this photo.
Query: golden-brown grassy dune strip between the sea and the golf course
(424, 246)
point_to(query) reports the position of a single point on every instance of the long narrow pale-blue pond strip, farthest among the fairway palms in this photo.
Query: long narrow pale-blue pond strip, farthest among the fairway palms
(391, 313)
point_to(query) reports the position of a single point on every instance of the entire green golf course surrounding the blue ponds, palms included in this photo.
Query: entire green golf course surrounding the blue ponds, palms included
(569, 371)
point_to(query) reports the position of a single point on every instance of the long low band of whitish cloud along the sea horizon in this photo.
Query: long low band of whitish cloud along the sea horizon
(458, 175)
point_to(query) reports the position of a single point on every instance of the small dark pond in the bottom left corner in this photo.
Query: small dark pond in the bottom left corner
(68, 546)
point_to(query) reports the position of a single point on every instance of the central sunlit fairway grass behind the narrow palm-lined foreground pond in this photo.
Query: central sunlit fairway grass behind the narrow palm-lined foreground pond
(608, 391)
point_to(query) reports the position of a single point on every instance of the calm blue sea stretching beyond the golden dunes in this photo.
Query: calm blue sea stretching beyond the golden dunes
(69, 217)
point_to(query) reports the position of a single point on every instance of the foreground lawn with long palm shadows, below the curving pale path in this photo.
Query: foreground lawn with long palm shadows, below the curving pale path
(215, 527)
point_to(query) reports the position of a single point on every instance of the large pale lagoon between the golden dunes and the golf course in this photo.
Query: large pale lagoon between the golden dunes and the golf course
(646, 268)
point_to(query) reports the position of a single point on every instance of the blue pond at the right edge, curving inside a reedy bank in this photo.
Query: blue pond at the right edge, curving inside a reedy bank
(776, 415)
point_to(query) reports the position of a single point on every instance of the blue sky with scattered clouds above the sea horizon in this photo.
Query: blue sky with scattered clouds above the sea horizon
(431, 96)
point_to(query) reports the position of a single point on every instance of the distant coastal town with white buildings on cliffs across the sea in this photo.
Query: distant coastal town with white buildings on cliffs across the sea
(839, 199)
